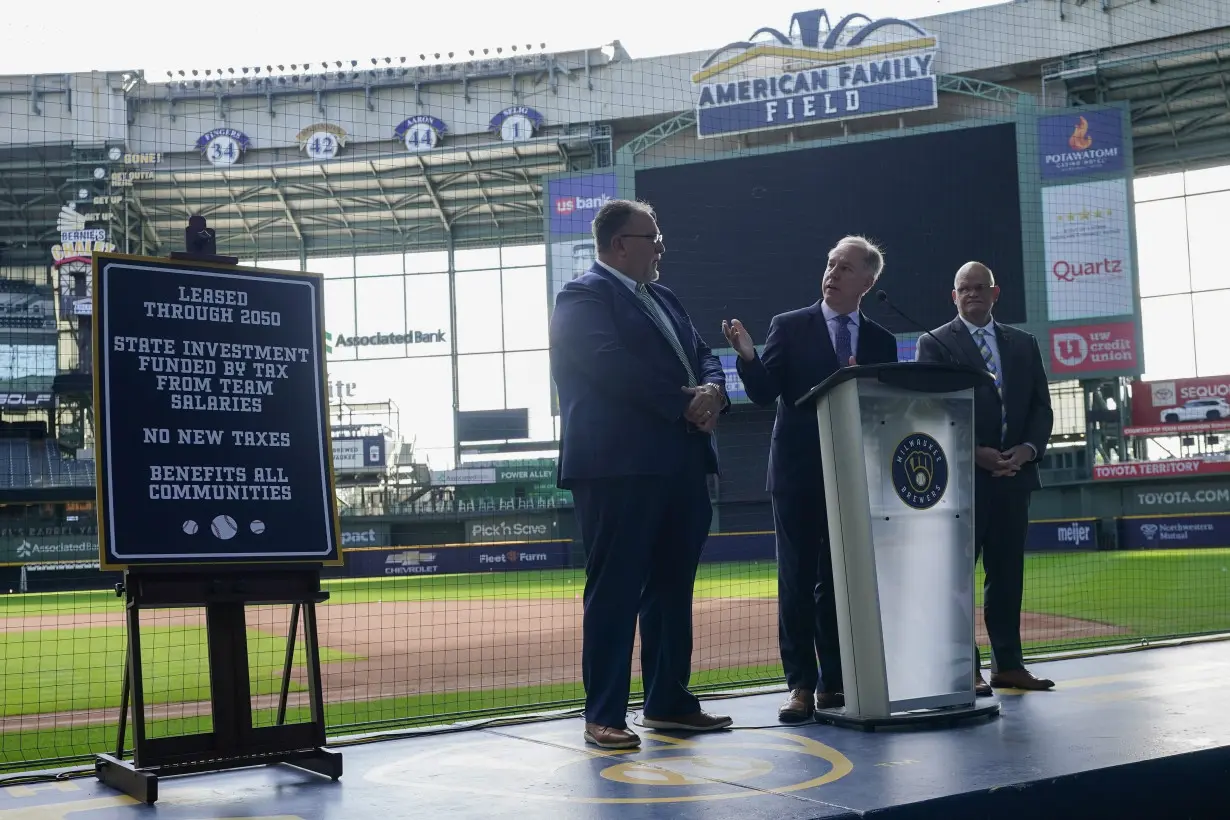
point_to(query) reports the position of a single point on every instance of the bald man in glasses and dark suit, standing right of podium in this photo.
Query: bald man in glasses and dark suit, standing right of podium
(1013, 422)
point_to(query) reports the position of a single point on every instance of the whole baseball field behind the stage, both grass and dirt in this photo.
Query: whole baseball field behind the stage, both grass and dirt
(420, 651)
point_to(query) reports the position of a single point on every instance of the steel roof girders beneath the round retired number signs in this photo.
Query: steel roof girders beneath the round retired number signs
(368, 201)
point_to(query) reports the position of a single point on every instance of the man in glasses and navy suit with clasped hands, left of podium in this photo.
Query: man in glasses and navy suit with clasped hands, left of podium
(640, 395)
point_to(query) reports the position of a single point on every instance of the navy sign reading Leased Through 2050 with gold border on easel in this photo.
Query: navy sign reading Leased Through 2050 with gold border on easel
(211, 416)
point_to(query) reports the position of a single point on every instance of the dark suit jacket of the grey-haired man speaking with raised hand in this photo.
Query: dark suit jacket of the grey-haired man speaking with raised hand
(798, 356)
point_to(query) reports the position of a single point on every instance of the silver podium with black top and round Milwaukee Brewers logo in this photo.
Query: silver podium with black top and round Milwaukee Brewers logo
(899, 459)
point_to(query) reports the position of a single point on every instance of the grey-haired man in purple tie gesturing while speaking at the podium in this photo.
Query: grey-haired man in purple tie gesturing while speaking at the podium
(804, 349)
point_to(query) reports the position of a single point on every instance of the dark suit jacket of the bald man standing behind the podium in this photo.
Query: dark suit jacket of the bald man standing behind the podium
(1026, 393)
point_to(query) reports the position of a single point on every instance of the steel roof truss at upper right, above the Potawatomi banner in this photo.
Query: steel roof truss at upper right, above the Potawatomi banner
(1179, 100)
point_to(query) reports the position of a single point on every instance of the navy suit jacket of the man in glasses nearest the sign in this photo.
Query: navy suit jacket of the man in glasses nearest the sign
(621, 384)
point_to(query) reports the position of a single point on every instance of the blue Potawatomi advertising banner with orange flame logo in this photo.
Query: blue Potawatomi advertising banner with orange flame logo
(1081, 143)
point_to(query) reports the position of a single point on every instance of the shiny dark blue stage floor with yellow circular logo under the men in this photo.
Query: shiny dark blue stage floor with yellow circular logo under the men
(1141, 735)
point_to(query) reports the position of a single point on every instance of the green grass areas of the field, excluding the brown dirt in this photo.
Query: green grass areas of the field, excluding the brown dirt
(1152, 594)
